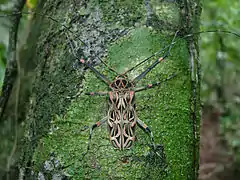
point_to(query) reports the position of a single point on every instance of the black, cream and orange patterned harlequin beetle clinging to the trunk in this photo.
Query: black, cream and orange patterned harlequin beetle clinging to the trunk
(122, 116)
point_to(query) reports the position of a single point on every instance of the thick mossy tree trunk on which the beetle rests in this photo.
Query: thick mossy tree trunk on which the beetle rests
(121, 33)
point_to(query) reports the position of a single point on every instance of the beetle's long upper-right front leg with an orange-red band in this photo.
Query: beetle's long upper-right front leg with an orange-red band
(143, 74)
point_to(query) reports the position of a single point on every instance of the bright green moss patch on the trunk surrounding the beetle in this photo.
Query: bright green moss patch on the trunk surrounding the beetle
(165, 109)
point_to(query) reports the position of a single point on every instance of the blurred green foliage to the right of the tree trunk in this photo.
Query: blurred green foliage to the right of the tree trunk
(219, 53)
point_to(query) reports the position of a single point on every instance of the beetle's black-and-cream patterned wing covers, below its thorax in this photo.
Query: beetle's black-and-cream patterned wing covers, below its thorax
(122, 119)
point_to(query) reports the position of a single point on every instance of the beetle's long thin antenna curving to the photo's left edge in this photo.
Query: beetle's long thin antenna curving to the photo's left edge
(67, 28)
